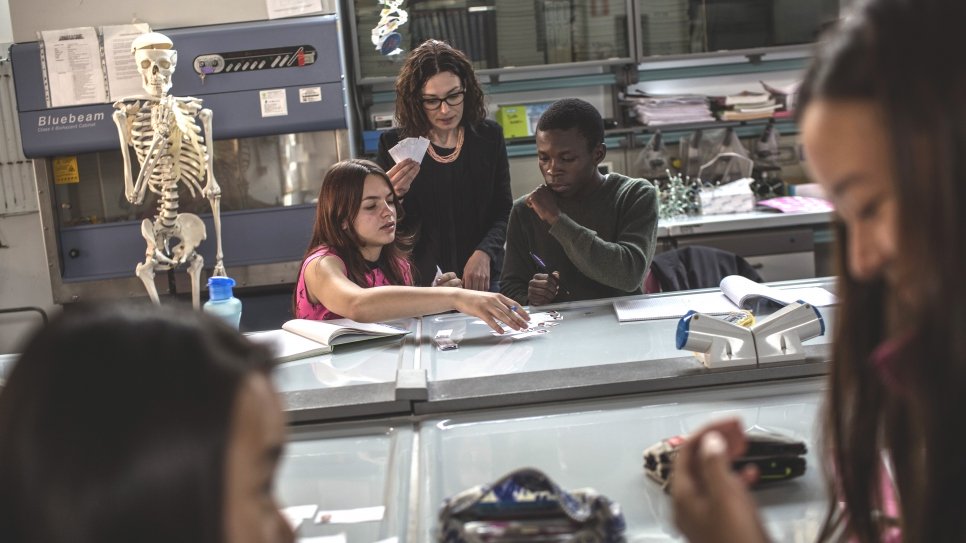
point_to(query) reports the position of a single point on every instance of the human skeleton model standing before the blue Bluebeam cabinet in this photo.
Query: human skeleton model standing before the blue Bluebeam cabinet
(170, 148)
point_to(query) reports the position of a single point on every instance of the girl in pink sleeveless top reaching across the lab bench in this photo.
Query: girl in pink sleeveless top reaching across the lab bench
(357, 268)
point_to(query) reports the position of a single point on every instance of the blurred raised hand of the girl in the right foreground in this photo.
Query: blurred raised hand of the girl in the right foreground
(712, 503)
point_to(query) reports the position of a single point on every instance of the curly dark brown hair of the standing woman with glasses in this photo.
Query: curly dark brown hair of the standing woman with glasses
(431, 58)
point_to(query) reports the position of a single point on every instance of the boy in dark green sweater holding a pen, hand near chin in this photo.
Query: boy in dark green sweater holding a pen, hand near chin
(581, 235)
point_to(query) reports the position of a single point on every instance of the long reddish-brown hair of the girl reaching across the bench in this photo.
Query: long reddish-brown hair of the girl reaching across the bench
(340, 199)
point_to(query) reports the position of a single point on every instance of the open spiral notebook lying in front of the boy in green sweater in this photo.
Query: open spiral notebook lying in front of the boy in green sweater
(737, 292)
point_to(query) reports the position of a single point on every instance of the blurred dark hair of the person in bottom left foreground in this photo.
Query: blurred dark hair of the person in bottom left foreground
(114, 427)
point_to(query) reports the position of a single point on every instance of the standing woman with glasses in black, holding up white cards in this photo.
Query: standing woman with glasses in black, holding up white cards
(457, 200)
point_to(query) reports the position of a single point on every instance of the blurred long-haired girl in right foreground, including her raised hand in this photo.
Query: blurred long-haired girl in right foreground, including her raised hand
(883, 118)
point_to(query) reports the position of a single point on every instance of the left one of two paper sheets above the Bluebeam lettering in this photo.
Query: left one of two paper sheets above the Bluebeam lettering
(74, 72)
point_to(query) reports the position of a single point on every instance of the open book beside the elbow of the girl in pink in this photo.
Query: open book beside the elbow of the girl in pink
(302, 338)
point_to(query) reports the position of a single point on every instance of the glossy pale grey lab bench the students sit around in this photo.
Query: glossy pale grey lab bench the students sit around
(579, 403)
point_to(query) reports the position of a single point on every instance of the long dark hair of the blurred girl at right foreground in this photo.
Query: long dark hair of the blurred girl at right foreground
(918, 83)
